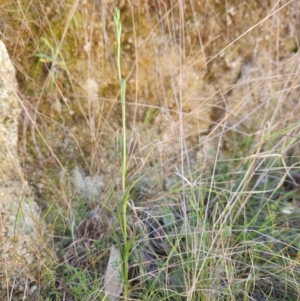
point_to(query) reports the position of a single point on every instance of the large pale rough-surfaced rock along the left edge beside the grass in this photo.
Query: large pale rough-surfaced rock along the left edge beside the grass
(20, 226)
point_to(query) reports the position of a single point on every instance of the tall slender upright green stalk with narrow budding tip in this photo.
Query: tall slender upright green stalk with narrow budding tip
(126, 248)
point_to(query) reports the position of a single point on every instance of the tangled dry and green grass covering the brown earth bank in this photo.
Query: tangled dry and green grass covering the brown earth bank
(212, 122)
